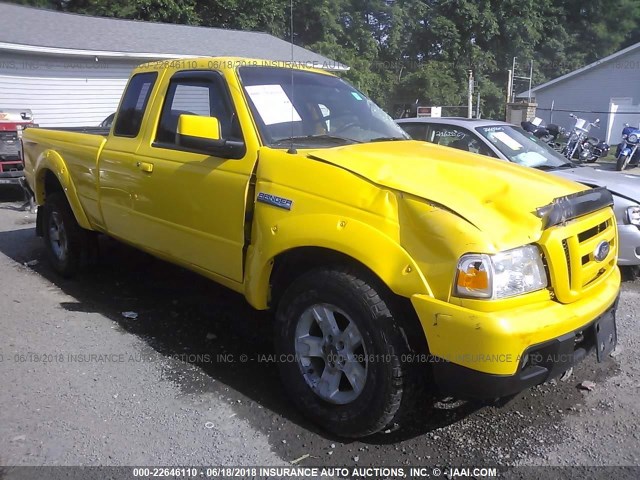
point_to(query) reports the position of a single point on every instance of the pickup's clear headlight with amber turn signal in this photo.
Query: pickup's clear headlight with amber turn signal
(502, 275)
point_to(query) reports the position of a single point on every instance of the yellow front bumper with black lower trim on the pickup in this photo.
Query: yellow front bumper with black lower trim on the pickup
(482, 354)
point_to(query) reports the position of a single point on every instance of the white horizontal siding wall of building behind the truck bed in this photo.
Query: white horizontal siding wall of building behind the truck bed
(63, 91)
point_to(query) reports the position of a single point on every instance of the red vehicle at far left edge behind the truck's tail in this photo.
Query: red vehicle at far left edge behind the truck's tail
(12, 122)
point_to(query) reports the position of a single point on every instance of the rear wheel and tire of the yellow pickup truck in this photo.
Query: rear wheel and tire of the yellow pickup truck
(62, 235)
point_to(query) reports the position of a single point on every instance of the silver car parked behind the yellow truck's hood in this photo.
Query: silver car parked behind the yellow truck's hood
(509, 142)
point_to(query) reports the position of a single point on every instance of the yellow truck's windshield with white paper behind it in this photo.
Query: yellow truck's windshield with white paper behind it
(307, 109)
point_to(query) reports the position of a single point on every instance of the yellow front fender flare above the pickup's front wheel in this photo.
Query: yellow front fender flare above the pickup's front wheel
(304, 243)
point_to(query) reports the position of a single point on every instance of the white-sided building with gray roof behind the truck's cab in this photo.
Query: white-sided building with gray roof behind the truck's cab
(70, 70)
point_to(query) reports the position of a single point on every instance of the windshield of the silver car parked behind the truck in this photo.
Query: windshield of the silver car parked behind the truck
(523, 148)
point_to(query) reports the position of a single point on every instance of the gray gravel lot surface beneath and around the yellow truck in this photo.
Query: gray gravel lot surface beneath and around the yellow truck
(190, 381)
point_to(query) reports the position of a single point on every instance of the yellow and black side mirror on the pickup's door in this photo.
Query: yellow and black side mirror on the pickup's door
(203, 134)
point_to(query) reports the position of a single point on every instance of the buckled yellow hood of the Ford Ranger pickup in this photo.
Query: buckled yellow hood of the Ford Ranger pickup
(498, 197)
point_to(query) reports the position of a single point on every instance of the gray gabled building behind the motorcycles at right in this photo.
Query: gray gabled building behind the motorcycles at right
(592, 91)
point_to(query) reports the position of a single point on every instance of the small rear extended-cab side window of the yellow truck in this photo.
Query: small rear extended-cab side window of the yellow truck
(134, 103)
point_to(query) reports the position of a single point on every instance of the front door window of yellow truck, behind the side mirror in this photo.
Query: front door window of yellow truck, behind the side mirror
(196, 93)
